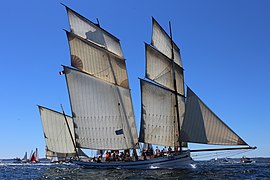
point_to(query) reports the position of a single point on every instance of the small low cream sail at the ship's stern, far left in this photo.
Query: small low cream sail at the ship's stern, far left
(56, 132)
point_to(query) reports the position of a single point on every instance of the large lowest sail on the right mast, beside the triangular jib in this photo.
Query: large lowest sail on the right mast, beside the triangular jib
(159, 122)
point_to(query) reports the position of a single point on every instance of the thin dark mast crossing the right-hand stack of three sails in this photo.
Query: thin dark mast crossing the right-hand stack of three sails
(175, 92)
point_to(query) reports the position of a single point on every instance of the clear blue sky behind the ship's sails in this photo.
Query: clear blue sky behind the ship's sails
(225, 47)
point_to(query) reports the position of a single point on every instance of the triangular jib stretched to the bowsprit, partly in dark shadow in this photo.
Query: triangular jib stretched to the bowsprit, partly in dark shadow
(201, 125)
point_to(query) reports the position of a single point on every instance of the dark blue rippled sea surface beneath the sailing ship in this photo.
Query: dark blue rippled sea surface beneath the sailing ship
(213, 169)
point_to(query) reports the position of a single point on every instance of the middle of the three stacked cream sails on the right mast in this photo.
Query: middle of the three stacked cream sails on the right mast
(159, 68)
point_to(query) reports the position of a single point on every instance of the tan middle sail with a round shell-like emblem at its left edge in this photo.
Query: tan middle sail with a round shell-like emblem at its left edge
(97, 61)
